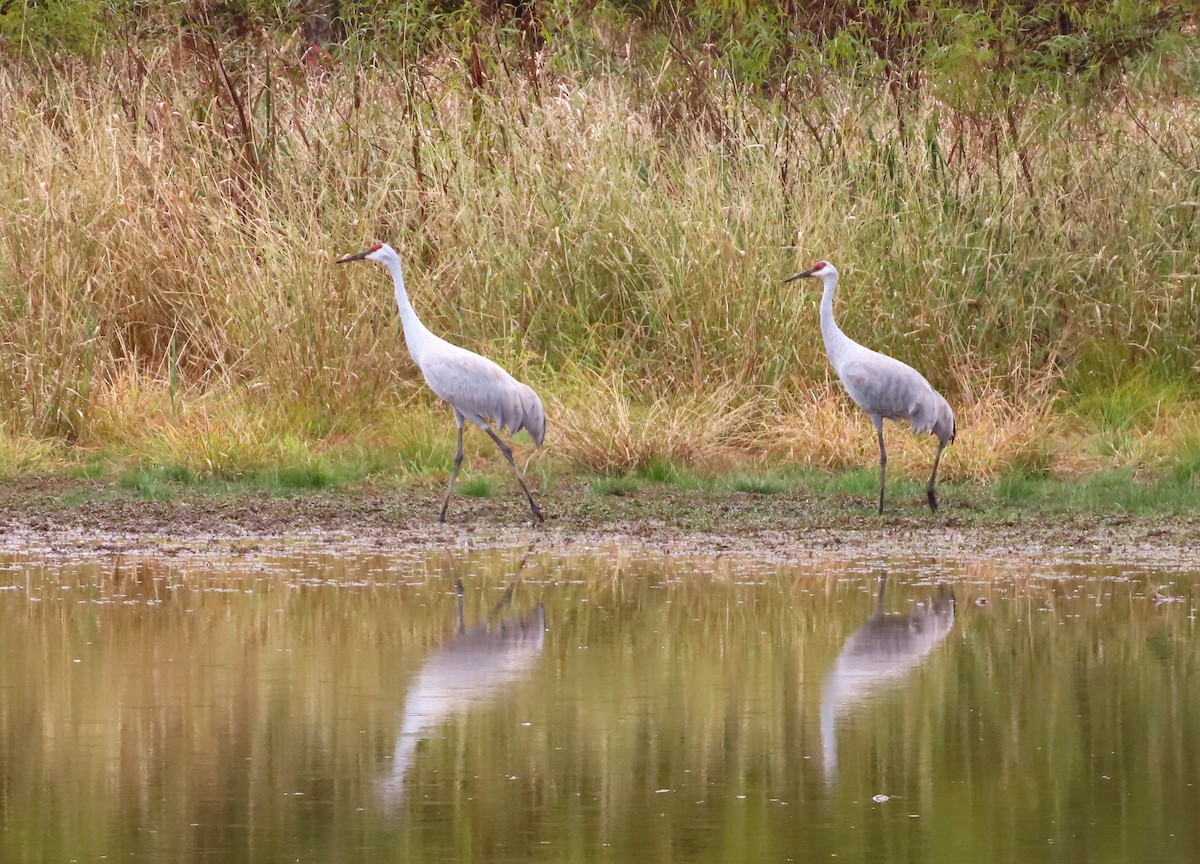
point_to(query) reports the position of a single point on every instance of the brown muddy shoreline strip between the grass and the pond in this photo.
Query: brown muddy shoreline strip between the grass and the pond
(82, 518)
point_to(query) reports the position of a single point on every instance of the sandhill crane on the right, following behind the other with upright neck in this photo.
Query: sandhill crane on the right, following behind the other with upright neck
(881, 386)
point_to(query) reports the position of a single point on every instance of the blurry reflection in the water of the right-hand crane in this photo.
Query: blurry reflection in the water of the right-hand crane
(879, 655)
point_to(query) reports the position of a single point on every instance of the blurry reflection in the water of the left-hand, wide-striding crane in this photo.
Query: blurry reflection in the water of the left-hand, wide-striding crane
(478, 665)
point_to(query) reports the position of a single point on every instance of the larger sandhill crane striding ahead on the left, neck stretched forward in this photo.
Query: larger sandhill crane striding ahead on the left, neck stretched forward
(476, 388)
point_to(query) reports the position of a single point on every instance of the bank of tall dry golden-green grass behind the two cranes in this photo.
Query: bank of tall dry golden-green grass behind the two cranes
(610, 217)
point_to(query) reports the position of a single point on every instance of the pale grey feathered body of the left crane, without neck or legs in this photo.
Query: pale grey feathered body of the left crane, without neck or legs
(483, 392)
